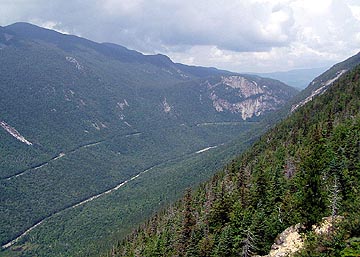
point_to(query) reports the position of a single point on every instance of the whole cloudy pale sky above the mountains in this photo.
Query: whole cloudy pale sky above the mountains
(236, 35)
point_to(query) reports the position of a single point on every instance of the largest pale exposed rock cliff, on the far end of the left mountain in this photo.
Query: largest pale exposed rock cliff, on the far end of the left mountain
(238, 94)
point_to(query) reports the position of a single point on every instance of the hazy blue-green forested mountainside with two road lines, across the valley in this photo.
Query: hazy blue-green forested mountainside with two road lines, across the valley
(91, 132)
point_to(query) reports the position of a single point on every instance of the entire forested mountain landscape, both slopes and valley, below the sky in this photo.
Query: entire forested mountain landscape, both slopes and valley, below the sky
(96, 138)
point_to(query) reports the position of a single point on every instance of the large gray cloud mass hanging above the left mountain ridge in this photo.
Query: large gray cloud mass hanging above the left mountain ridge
(233, 25)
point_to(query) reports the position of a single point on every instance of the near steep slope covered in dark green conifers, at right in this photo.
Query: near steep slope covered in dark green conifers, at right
(305, 168)
